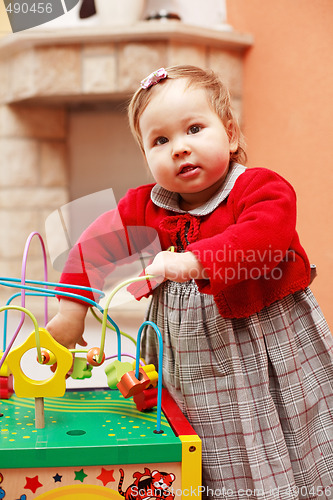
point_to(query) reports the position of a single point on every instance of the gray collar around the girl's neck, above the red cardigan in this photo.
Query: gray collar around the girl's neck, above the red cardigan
(170, 200)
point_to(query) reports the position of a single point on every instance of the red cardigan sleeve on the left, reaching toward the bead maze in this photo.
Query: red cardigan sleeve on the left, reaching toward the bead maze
(115, 238)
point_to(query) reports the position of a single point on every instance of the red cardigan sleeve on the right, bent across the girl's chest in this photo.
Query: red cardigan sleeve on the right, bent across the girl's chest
(263, 206)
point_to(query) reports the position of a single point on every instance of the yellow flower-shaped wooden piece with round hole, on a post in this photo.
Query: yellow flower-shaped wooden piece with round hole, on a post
(55, 386)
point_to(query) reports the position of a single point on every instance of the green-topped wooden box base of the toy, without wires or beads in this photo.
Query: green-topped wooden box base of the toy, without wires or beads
(96, 445)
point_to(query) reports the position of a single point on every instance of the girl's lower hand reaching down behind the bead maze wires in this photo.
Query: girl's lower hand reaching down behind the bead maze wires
(67, 326)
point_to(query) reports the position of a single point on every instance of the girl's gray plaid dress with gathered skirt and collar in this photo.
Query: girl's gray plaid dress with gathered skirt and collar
(257, 390)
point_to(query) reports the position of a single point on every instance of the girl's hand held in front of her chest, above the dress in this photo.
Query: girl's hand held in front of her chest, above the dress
(179, 267)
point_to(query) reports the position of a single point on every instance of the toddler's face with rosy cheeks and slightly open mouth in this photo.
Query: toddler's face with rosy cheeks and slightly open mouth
(185, 142)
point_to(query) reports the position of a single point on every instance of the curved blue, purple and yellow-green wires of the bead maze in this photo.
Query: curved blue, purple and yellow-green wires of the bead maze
(46, 289)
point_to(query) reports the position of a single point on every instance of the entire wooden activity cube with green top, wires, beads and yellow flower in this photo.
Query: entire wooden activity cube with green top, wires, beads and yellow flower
(90, 443)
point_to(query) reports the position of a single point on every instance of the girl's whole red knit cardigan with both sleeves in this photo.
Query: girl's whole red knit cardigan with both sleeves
(248, 245)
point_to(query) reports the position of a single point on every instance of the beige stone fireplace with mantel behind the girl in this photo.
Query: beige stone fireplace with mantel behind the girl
(60, 94)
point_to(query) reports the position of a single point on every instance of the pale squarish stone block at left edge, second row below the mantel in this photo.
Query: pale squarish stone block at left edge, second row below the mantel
(18, 162)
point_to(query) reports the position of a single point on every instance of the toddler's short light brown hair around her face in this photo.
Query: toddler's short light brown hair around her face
(218, 96)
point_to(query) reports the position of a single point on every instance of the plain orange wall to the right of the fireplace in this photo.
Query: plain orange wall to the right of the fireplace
(288, 113)
